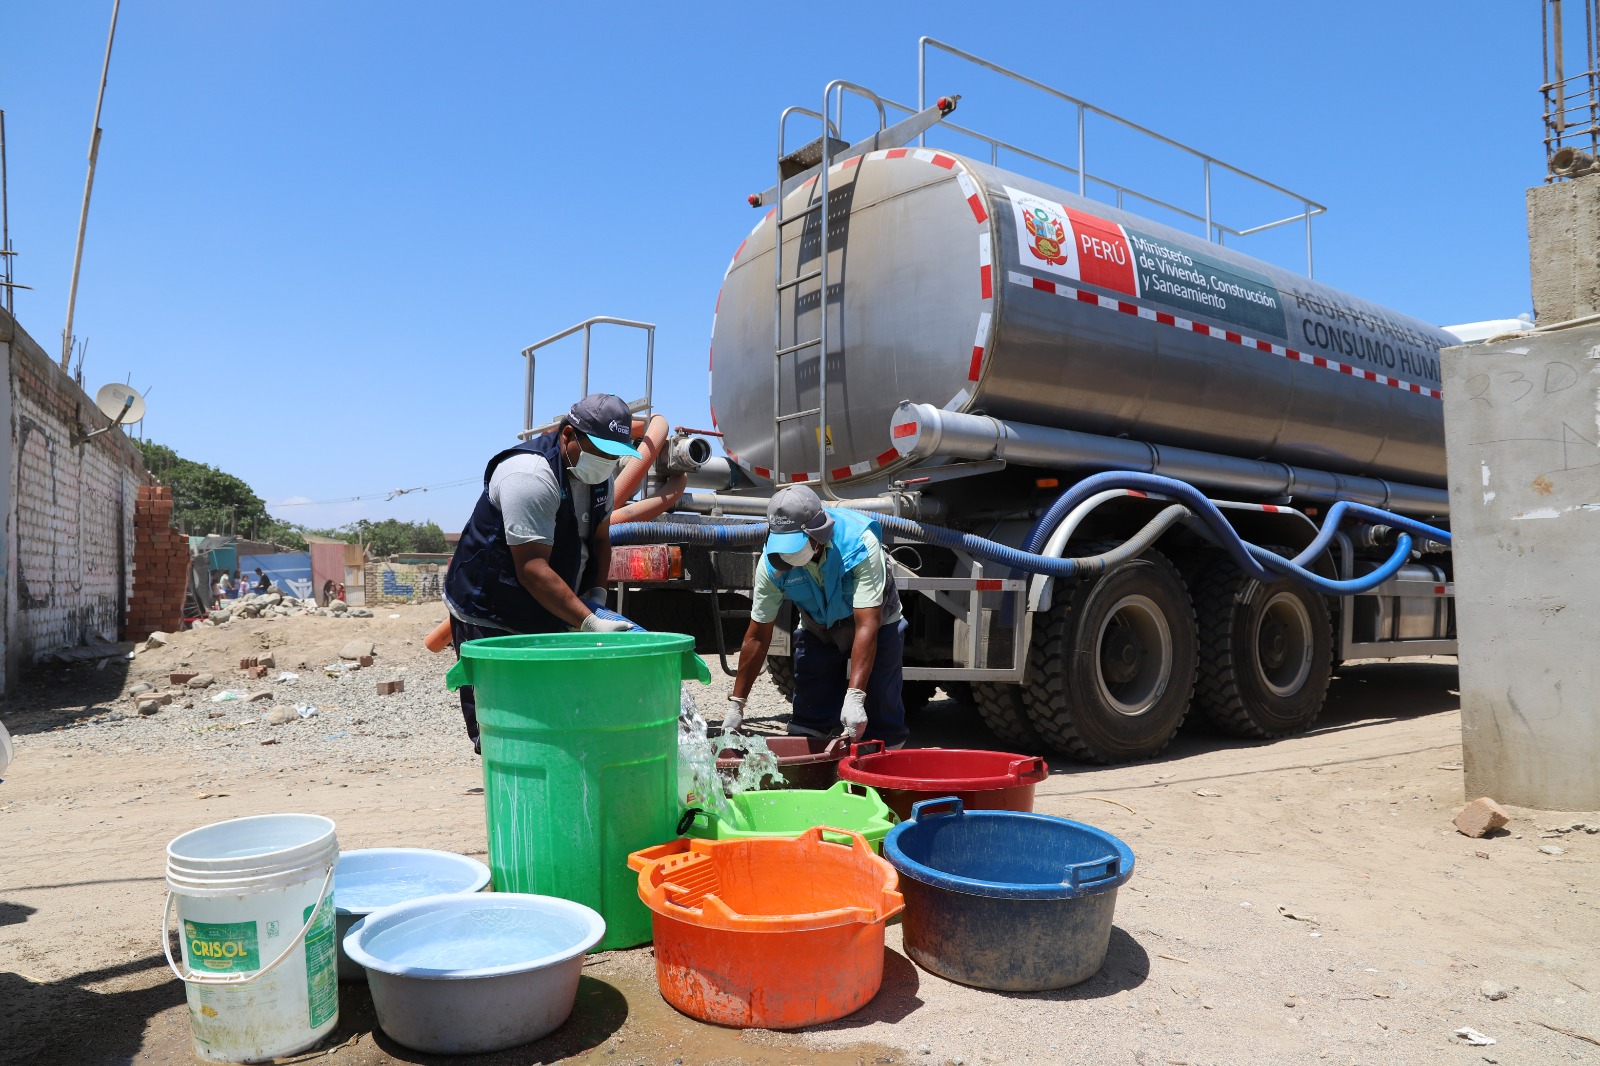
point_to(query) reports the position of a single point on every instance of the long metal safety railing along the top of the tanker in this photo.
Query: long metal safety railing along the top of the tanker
(1215, 231)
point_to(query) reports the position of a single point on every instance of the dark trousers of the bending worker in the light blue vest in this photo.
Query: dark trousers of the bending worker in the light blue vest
(823, 676)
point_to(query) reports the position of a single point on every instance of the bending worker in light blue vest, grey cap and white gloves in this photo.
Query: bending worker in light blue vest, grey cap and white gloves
(849, 644)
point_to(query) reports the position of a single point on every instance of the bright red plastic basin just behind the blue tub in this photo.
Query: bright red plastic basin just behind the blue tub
(985, 780)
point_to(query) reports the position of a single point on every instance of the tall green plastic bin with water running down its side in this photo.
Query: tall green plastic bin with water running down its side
(580, 761)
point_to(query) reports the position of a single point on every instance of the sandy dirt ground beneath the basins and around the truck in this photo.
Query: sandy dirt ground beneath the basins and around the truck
(1295, 902)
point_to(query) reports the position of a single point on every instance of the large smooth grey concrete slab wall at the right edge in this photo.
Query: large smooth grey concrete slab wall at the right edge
(1522, 430)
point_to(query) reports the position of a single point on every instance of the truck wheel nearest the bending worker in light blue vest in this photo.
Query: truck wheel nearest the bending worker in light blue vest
(1114, 663)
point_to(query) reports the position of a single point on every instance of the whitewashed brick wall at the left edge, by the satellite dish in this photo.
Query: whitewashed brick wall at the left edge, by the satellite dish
(68, 511)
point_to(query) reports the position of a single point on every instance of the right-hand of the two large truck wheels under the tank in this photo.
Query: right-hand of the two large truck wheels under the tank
(1266, 654)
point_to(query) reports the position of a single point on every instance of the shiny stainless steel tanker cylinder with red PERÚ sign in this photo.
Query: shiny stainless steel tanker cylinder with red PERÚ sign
(962, 286)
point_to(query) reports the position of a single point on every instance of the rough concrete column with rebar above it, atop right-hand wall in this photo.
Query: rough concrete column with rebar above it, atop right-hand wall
(1564, 249)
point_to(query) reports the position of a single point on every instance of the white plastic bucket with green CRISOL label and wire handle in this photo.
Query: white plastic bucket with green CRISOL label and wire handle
(255, 910)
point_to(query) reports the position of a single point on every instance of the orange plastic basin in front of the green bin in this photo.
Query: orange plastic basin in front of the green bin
(769, 934)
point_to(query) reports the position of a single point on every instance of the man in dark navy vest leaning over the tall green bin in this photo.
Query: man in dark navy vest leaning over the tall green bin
(535, 556)
